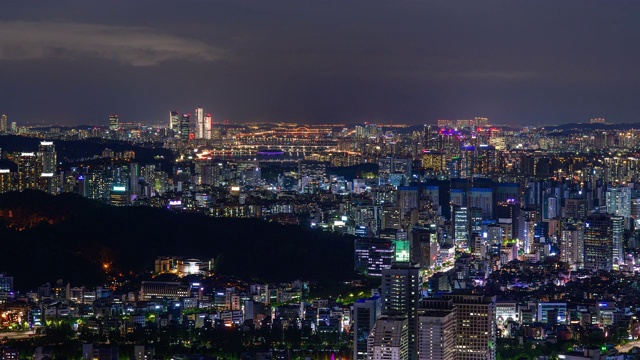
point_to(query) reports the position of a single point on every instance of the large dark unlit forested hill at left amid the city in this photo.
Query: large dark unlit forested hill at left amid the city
(45, 238)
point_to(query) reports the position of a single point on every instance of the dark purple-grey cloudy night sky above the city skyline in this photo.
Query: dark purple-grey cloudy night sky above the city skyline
(347, 61)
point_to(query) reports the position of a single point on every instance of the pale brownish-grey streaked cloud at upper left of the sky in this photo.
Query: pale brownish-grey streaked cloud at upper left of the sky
(129, 45)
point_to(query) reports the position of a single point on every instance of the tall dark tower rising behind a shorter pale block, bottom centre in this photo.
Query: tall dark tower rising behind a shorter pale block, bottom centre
(401, 286)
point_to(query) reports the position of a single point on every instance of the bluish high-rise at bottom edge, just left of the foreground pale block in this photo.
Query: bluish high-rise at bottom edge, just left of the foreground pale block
(365, 314)
